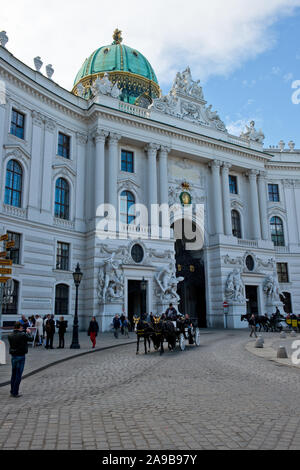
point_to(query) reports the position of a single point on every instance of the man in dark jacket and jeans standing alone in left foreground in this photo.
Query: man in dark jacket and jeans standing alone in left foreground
(18, 342)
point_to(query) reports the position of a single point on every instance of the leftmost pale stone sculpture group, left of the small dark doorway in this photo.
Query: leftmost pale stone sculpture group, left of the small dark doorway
(110, 280)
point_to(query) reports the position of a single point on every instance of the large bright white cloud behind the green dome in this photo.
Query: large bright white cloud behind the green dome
(212, 37)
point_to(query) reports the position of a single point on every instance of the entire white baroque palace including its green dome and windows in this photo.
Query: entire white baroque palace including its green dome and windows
(115, 139)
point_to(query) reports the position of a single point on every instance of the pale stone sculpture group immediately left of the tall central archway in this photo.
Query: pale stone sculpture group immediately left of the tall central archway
(167, 283)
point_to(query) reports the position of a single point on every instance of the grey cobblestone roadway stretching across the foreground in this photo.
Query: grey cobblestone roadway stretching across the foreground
(218, 396)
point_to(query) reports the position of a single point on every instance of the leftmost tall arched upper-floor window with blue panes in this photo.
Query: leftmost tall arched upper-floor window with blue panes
(13, 184)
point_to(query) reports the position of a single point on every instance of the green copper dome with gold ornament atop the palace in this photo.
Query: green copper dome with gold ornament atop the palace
(126, 66)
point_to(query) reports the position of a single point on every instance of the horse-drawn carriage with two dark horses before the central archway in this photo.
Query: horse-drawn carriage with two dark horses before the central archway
(161, 330)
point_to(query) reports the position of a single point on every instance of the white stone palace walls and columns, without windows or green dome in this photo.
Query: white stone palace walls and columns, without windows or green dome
(177, 140)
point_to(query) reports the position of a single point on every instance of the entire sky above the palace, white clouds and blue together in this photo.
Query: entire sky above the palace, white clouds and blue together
(245, 52)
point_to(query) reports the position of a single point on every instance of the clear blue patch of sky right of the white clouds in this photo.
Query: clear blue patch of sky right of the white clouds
(261, 88)
